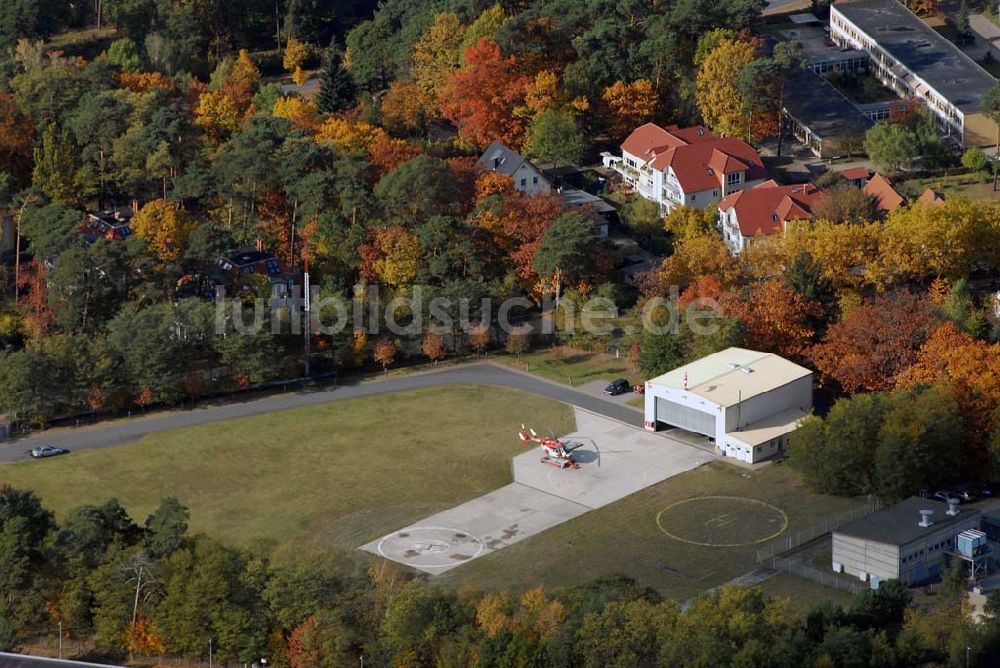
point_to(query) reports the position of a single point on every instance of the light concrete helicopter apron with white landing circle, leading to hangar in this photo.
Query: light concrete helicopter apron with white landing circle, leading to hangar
(615, 459)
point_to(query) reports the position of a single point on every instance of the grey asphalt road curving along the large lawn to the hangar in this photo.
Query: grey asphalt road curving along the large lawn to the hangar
(118, 432)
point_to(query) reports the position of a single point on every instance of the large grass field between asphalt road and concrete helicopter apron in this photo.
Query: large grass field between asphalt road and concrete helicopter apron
(329, 476)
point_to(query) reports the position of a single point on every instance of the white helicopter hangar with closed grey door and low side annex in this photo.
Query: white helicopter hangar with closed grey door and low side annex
(747, 401)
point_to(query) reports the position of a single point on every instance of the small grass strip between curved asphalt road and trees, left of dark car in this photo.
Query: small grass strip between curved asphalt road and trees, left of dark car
(570, 366)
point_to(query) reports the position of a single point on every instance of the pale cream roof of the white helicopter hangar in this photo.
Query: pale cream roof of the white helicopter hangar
(732, 375)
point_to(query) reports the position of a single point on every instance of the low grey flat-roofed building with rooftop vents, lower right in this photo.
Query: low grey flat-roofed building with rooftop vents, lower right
(910, 541)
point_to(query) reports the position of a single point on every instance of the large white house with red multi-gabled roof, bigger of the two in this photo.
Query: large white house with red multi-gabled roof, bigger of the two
(692, 167)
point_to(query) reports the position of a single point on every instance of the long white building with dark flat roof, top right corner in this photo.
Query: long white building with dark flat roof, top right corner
(912, 59)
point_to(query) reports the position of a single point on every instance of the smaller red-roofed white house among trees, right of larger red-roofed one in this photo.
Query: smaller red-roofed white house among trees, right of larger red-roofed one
(765, 209)
